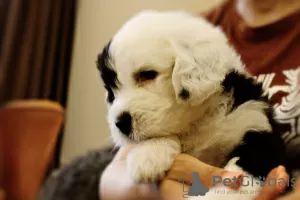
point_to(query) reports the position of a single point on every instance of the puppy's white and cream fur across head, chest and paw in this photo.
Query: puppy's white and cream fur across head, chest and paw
(189, 53)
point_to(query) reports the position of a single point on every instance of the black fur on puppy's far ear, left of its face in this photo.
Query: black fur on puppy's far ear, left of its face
(108, 75)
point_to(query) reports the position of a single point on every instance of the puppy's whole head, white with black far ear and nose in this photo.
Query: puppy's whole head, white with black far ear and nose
(156, 69)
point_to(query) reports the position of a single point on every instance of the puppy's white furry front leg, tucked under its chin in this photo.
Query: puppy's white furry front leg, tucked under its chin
(149, 160)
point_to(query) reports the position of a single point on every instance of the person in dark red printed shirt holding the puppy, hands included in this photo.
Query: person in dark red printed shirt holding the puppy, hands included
(266, 33)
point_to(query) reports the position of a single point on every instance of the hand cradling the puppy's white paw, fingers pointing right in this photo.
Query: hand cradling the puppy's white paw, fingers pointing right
(116, 184)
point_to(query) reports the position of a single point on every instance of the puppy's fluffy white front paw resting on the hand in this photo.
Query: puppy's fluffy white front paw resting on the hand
(148, 165)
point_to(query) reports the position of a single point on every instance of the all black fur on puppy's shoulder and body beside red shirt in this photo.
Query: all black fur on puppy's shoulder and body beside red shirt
(260, 152)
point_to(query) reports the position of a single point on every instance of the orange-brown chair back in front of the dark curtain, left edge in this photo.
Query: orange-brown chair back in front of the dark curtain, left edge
(28, 133)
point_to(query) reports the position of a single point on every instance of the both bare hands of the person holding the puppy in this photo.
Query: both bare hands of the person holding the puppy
(115, 184)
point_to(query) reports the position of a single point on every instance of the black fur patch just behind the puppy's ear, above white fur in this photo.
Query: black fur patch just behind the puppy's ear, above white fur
(243, 88)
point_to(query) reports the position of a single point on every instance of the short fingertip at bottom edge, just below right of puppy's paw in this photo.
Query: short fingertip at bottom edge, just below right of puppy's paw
(173, 190)
